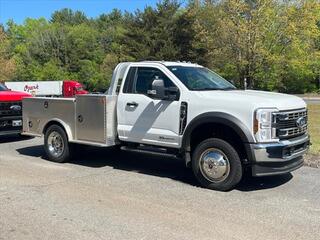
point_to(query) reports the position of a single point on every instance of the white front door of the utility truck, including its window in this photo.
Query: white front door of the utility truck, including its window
(143, 119)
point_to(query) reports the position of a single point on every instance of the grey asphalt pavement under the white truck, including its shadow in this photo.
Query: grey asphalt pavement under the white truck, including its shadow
(126, 196)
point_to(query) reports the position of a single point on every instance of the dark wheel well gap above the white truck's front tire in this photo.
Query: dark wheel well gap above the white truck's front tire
(221, 131)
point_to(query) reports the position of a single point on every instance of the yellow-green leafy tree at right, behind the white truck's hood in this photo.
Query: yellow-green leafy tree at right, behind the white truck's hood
(262, 41)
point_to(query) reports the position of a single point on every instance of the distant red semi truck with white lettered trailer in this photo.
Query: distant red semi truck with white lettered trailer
(66, 88)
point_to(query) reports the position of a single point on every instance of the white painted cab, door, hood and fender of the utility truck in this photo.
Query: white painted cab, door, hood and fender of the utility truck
(156, 122)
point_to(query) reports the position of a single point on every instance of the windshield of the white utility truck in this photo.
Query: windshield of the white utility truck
(199, 78)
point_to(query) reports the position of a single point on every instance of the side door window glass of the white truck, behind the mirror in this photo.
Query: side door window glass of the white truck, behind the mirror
(144, 78)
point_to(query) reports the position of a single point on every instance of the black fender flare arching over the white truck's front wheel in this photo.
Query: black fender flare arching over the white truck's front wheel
(216, 117)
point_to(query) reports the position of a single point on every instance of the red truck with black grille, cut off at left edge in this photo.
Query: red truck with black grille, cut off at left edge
(11, 110)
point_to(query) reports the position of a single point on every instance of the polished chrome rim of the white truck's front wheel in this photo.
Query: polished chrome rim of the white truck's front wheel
(214, 165)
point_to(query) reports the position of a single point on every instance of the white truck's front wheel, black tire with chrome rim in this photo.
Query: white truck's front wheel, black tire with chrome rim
(216, 165)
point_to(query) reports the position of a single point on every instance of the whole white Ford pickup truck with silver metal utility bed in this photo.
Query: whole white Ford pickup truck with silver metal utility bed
(179, 109)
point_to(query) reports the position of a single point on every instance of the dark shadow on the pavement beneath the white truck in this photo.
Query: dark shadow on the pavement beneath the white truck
(151, 165)
